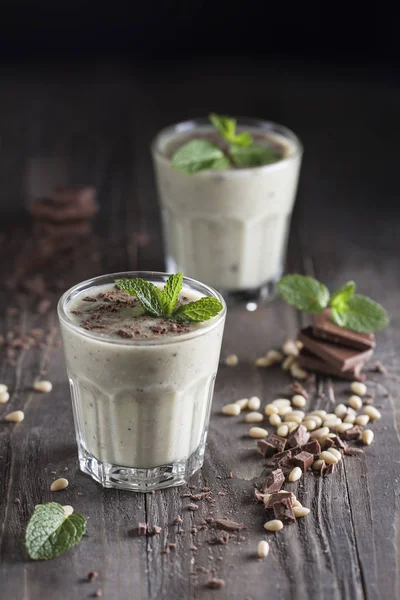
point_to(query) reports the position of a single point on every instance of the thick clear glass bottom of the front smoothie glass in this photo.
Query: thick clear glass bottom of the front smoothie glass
(141, 480)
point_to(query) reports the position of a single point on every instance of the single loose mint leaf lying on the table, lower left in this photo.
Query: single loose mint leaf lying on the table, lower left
(50, 532)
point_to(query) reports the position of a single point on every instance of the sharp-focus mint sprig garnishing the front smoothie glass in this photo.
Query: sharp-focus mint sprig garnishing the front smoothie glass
(164, 303)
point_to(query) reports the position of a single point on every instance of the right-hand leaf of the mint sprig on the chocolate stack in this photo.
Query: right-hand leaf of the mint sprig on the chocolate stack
(360, 314)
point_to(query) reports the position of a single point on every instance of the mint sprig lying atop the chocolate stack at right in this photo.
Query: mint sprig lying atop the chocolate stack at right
(348, 309)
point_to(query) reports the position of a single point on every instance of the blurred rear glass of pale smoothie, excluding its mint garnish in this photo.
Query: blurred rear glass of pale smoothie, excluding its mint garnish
(228, 227)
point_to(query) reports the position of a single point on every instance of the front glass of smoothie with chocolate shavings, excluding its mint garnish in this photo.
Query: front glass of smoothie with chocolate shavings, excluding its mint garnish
(141, 385)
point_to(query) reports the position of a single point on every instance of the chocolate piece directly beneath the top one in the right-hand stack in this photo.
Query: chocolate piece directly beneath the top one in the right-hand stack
(340, 357)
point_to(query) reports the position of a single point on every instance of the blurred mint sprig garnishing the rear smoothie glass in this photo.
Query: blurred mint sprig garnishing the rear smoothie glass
(241, 151)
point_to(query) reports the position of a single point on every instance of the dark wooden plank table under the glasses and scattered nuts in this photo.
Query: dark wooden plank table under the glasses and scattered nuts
(98, 121)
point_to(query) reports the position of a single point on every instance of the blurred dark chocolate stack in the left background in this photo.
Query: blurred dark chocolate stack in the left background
(66, 212)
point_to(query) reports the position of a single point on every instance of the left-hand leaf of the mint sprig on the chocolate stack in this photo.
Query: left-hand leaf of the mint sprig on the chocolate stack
(306, 293)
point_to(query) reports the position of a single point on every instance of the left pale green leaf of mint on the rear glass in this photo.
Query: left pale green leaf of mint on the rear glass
(197, 155)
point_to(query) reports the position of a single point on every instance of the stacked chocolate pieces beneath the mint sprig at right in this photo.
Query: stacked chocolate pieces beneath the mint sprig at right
(333, 350)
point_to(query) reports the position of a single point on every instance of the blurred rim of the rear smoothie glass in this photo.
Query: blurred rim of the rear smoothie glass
(192, 124)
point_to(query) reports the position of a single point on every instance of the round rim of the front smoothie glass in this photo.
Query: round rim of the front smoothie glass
(73, 291)
